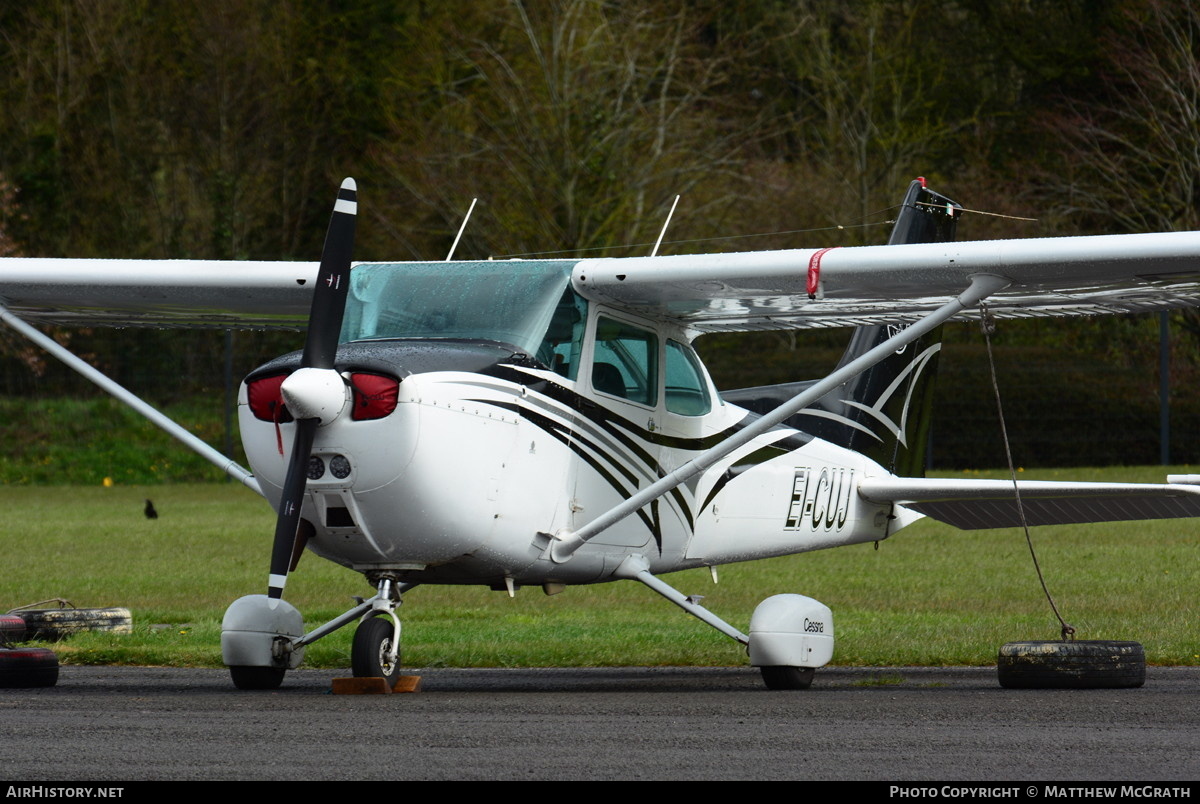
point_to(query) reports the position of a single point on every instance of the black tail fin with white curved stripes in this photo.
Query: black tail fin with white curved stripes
(885, 412)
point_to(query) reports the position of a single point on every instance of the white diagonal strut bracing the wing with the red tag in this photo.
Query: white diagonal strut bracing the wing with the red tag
(982, 286)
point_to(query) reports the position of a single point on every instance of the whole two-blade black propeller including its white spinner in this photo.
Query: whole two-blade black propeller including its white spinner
(315, 394)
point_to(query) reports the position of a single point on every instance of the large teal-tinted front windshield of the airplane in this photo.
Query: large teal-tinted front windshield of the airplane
(511, 302)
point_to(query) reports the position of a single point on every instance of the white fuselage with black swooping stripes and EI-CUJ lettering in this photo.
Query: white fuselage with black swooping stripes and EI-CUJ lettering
(472, 453)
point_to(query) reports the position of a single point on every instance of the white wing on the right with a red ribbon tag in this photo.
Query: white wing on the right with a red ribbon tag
(874, 285)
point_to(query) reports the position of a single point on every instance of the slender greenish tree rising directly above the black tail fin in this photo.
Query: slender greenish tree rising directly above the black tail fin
(869, 99)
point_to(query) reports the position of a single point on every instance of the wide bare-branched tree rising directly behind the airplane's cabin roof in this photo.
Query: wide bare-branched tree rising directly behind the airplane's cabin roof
(577, 127)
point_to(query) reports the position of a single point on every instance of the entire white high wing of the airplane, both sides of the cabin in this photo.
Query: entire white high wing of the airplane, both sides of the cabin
(707, 293)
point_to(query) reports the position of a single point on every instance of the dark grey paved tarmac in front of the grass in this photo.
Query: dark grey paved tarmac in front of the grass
(127, 724)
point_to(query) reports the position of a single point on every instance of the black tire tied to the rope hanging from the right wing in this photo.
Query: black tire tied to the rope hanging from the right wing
(1083, 665)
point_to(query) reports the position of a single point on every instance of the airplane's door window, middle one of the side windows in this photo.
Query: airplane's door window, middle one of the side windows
(626, 362)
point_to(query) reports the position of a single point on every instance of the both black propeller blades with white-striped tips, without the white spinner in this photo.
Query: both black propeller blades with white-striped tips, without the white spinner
(321, 347)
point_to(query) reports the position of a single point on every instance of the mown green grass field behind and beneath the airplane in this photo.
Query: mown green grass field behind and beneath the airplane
(931, 596)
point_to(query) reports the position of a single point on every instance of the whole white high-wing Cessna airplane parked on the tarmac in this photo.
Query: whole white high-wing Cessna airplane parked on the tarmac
(548, 423)
